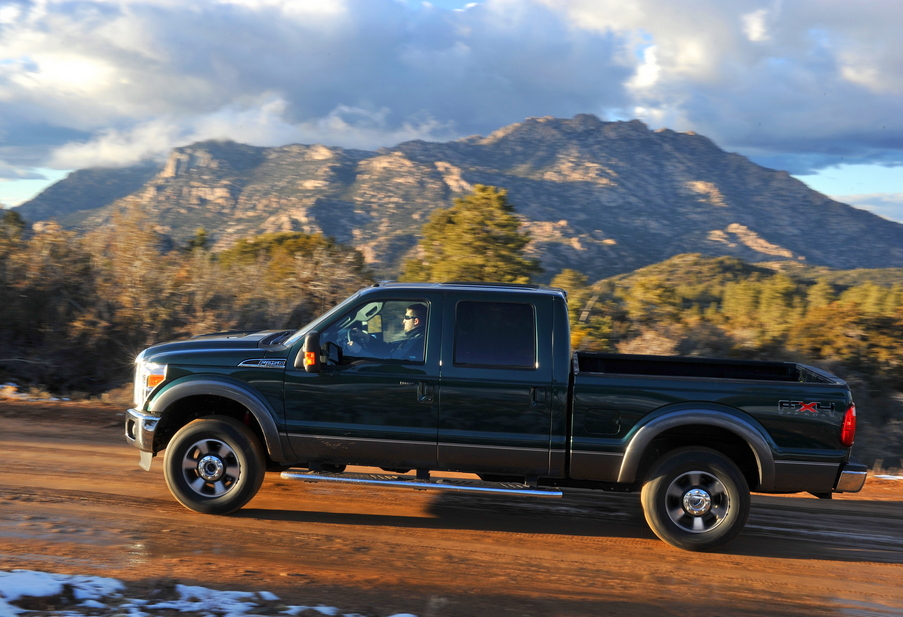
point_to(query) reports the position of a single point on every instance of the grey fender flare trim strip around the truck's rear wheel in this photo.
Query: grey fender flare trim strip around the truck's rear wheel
(742, 428)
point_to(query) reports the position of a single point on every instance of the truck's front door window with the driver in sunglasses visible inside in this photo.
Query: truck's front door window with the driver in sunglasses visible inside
(390, 330)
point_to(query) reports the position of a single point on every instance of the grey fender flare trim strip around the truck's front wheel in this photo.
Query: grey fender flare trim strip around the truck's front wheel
(234, 390)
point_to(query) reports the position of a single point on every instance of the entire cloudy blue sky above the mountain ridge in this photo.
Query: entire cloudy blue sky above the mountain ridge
(814, 87)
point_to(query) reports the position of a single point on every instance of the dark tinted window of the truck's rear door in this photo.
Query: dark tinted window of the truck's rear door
(495, 335)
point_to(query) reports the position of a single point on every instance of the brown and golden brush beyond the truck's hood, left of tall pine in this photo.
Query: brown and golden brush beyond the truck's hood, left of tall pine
(75, 310)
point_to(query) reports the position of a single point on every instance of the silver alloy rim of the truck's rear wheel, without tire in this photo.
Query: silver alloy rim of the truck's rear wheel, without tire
(697, 501)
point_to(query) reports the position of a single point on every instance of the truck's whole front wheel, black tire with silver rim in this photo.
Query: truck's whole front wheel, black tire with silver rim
(214, 465)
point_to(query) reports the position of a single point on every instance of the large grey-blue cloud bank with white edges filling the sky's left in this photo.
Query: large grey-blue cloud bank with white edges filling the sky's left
(139, 76)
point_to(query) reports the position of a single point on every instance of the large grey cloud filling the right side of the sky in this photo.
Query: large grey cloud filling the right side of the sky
(809, 78)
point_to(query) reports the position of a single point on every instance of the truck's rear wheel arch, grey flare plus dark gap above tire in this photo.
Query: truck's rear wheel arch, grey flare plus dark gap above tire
(720, 430)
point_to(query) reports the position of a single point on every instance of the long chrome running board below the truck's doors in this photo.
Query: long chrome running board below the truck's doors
(432, 484)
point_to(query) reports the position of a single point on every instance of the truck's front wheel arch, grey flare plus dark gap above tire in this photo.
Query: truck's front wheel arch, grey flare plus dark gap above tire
(188, 399)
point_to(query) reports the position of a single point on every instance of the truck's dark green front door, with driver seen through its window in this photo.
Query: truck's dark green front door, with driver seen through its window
(377, 404)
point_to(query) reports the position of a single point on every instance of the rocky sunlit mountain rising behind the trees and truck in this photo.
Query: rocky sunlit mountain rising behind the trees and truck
(601, 197)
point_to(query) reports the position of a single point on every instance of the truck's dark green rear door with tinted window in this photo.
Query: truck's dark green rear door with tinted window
(495, 388)
